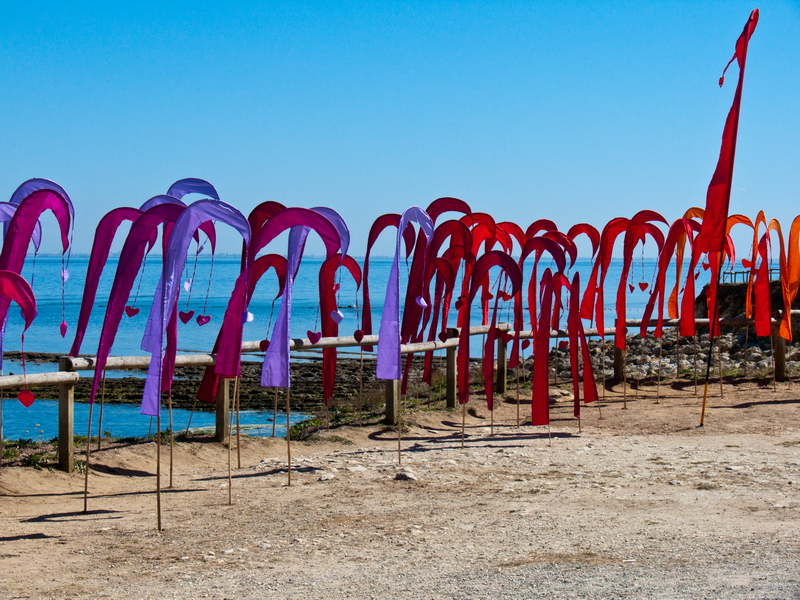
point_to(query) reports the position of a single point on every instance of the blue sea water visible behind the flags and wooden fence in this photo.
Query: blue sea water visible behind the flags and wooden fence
(212, 280)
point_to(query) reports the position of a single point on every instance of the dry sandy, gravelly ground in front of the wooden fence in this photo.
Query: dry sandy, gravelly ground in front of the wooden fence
(640, 503)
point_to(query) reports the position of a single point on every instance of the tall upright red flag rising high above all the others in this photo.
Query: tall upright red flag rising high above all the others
(712, 234)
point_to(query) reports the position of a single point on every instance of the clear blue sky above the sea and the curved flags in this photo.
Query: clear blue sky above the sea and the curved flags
(573, 111)
